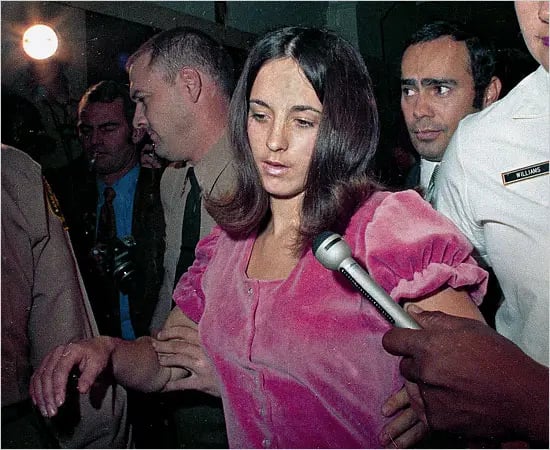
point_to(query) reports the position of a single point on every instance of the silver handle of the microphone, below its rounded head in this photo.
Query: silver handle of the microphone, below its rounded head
(362, 281)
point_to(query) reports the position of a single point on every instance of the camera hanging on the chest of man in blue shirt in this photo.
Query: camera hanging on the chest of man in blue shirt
(115, 258)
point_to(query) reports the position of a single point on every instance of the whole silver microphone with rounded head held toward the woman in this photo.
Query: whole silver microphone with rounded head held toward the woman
(334, 253)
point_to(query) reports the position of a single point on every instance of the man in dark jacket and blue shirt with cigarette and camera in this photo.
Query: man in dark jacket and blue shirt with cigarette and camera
(122, 266)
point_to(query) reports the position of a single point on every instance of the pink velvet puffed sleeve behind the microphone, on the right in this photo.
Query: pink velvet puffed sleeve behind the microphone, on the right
(413, 251)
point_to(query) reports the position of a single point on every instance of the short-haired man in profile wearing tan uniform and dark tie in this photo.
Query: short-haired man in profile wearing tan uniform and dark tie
(181, 80)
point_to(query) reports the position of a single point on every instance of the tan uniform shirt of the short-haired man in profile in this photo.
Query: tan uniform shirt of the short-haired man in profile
(215, 175)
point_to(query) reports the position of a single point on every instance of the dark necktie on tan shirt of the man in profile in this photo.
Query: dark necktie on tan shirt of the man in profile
(190, 230)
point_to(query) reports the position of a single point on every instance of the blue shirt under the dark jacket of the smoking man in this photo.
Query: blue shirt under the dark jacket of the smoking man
(123, 205)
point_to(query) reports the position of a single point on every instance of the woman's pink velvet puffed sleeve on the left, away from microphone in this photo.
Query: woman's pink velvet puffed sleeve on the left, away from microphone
(188, 294)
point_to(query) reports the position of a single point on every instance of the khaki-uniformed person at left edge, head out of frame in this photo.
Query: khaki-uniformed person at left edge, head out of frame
(44, 305)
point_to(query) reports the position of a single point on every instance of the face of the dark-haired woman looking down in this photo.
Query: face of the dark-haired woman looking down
(283, 122)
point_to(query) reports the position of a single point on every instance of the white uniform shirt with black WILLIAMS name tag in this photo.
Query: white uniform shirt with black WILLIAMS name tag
(494, 185)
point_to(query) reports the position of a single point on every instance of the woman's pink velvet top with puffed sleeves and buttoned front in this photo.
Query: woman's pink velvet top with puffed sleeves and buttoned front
(300, 360)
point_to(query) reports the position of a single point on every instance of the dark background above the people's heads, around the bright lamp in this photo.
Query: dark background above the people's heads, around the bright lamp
(97, 37)
